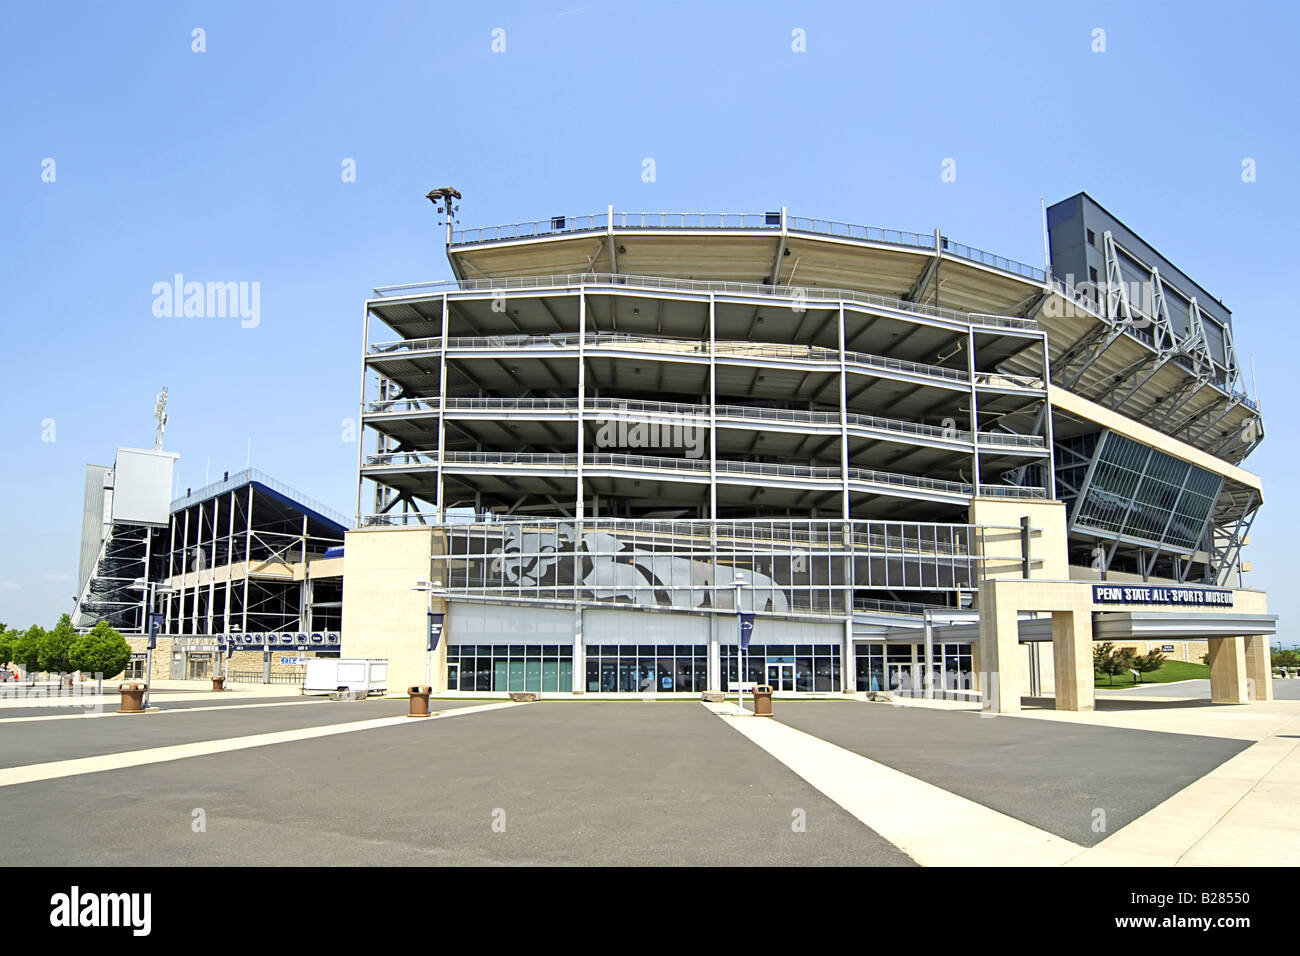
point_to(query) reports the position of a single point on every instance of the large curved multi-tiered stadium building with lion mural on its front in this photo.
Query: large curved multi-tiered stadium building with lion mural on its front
(610, 434)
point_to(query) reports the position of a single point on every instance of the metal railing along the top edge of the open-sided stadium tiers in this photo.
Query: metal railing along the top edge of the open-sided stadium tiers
(570, 282)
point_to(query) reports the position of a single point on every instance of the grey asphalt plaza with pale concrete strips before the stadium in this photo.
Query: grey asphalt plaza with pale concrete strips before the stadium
(1186, 784)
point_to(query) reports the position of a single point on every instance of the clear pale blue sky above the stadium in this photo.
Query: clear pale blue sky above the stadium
(227, 166)
